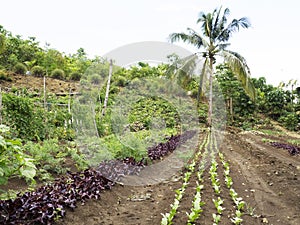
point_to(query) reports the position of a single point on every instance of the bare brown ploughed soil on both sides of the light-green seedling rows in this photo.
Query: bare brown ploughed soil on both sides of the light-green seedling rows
(267, 178)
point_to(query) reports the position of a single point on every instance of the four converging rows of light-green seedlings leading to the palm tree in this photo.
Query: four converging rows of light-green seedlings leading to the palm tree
(207, 149)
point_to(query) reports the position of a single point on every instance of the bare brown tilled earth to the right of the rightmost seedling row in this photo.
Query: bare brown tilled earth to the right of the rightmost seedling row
(272, 175)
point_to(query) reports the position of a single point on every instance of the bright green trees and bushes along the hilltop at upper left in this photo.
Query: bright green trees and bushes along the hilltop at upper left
(20, 55)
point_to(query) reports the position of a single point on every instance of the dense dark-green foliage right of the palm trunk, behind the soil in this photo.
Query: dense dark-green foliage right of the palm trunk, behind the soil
(277, 103)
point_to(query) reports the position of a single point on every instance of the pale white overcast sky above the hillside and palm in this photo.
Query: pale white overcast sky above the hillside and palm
(271, 46)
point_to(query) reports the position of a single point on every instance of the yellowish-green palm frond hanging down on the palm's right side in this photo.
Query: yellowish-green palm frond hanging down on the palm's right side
(238, 65)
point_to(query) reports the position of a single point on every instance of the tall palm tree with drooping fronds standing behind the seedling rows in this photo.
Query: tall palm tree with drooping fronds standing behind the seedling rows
(215, 33)
